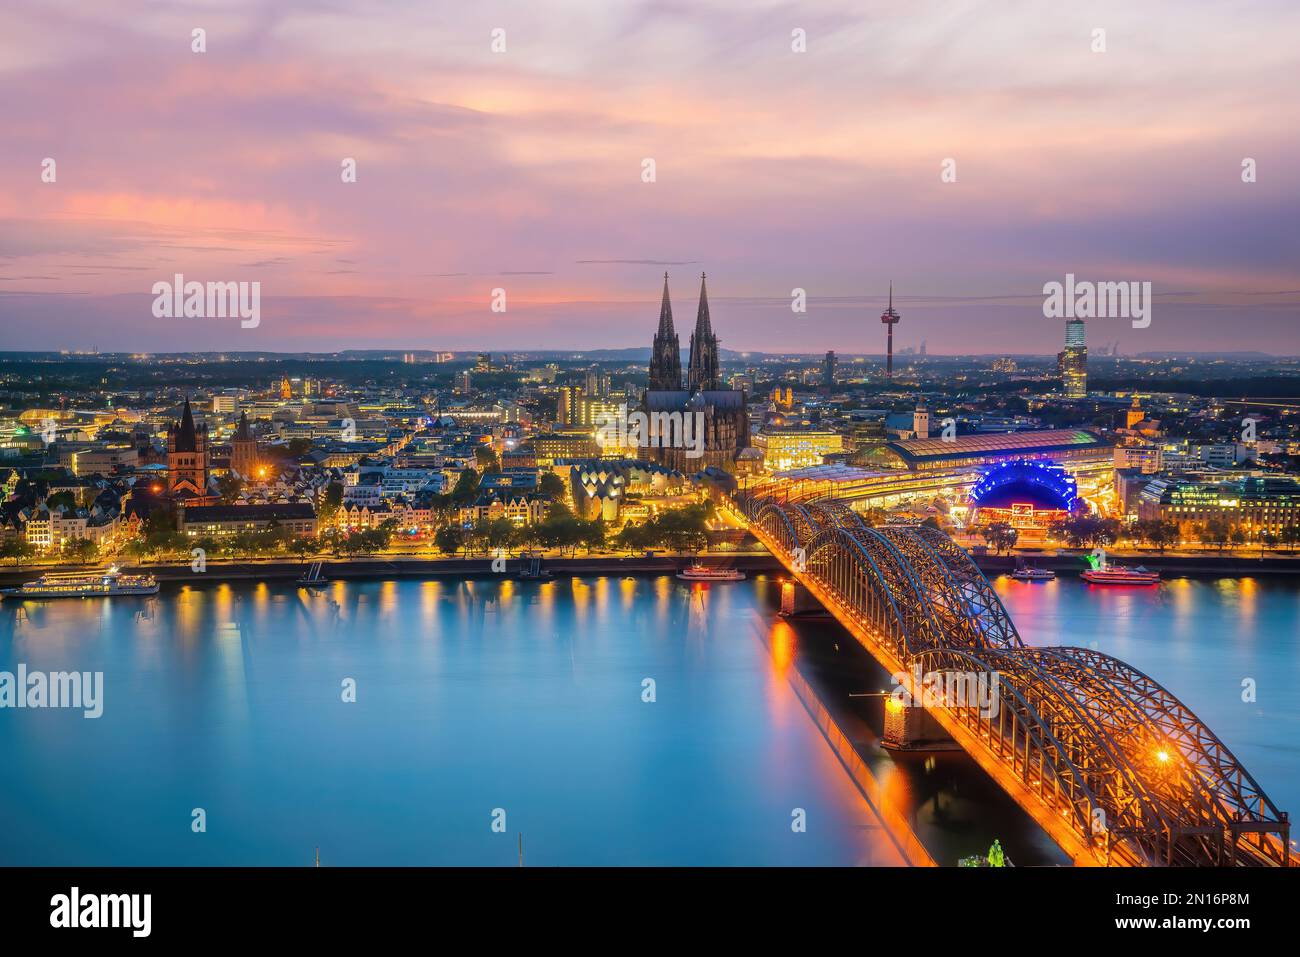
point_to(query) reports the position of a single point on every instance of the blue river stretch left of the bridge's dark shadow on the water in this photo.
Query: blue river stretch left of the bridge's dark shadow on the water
(471, 696)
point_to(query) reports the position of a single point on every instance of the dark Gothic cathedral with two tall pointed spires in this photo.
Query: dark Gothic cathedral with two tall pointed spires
(725, 414)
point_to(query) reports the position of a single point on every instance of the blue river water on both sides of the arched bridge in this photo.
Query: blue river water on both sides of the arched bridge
(526, 704)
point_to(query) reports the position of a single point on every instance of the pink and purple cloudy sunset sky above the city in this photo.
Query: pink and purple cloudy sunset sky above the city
(523, 170)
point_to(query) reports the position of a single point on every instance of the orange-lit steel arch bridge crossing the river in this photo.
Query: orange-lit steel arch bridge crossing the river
(1103, 748)
